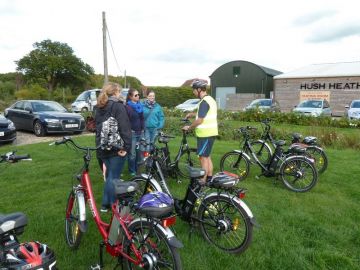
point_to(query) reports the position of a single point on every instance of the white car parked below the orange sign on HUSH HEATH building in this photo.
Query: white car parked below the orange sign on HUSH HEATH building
(314, 107)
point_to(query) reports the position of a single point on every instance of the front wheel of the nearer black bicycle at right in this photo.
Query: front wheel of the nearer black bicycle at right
(235, 162)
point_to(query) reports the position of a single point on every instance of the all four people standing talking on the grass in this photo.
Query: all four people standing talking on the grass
(138, 120)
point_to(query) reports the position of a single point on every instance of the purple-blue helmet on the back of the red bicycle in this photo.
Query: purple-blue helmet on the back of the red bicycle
(156, 204)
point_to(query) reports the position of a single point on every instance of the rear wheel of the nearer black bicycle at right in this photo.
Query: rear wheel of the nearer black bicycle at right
(298, 174)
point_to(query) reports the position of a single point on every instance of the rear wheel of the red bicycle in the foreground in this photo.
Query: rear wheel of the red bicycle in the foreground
(156, 243)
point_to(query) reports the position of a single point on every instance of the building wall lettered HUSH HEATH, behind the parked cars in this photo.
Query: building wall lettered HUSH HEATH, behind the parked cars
(338, 90)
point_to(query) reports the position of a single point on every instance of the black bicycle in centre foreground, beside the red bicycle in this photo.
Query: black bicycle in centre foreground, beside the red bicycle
(223, 217)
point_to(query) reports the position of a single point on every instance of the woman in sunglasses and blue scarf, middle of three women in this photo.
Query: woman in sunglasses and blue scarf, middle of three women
(135, 112)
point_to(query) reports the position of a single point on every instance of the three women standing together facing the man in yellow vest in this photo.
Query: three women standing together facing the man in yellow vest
(135, 120)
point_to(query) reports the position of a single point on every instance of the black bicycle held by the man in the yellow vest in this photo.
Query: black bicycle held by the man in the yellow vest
(186, 156)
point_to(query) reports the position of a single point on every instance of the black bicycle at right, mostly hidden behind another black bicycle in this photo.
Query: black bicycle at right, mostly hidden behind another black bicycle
(312, 149)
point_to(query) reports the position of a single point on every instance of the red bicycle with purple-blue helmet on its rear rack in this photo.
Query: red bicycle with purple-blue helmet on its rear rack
(138, 234)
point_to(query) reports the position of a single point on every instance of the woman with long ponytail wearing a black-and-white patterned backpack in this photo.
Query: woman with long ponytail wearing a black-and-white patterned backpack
(111, 112)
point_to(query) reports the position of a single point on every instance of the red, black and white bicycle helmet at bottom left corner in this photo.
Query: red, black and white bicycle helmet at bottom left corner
(31, 255)
